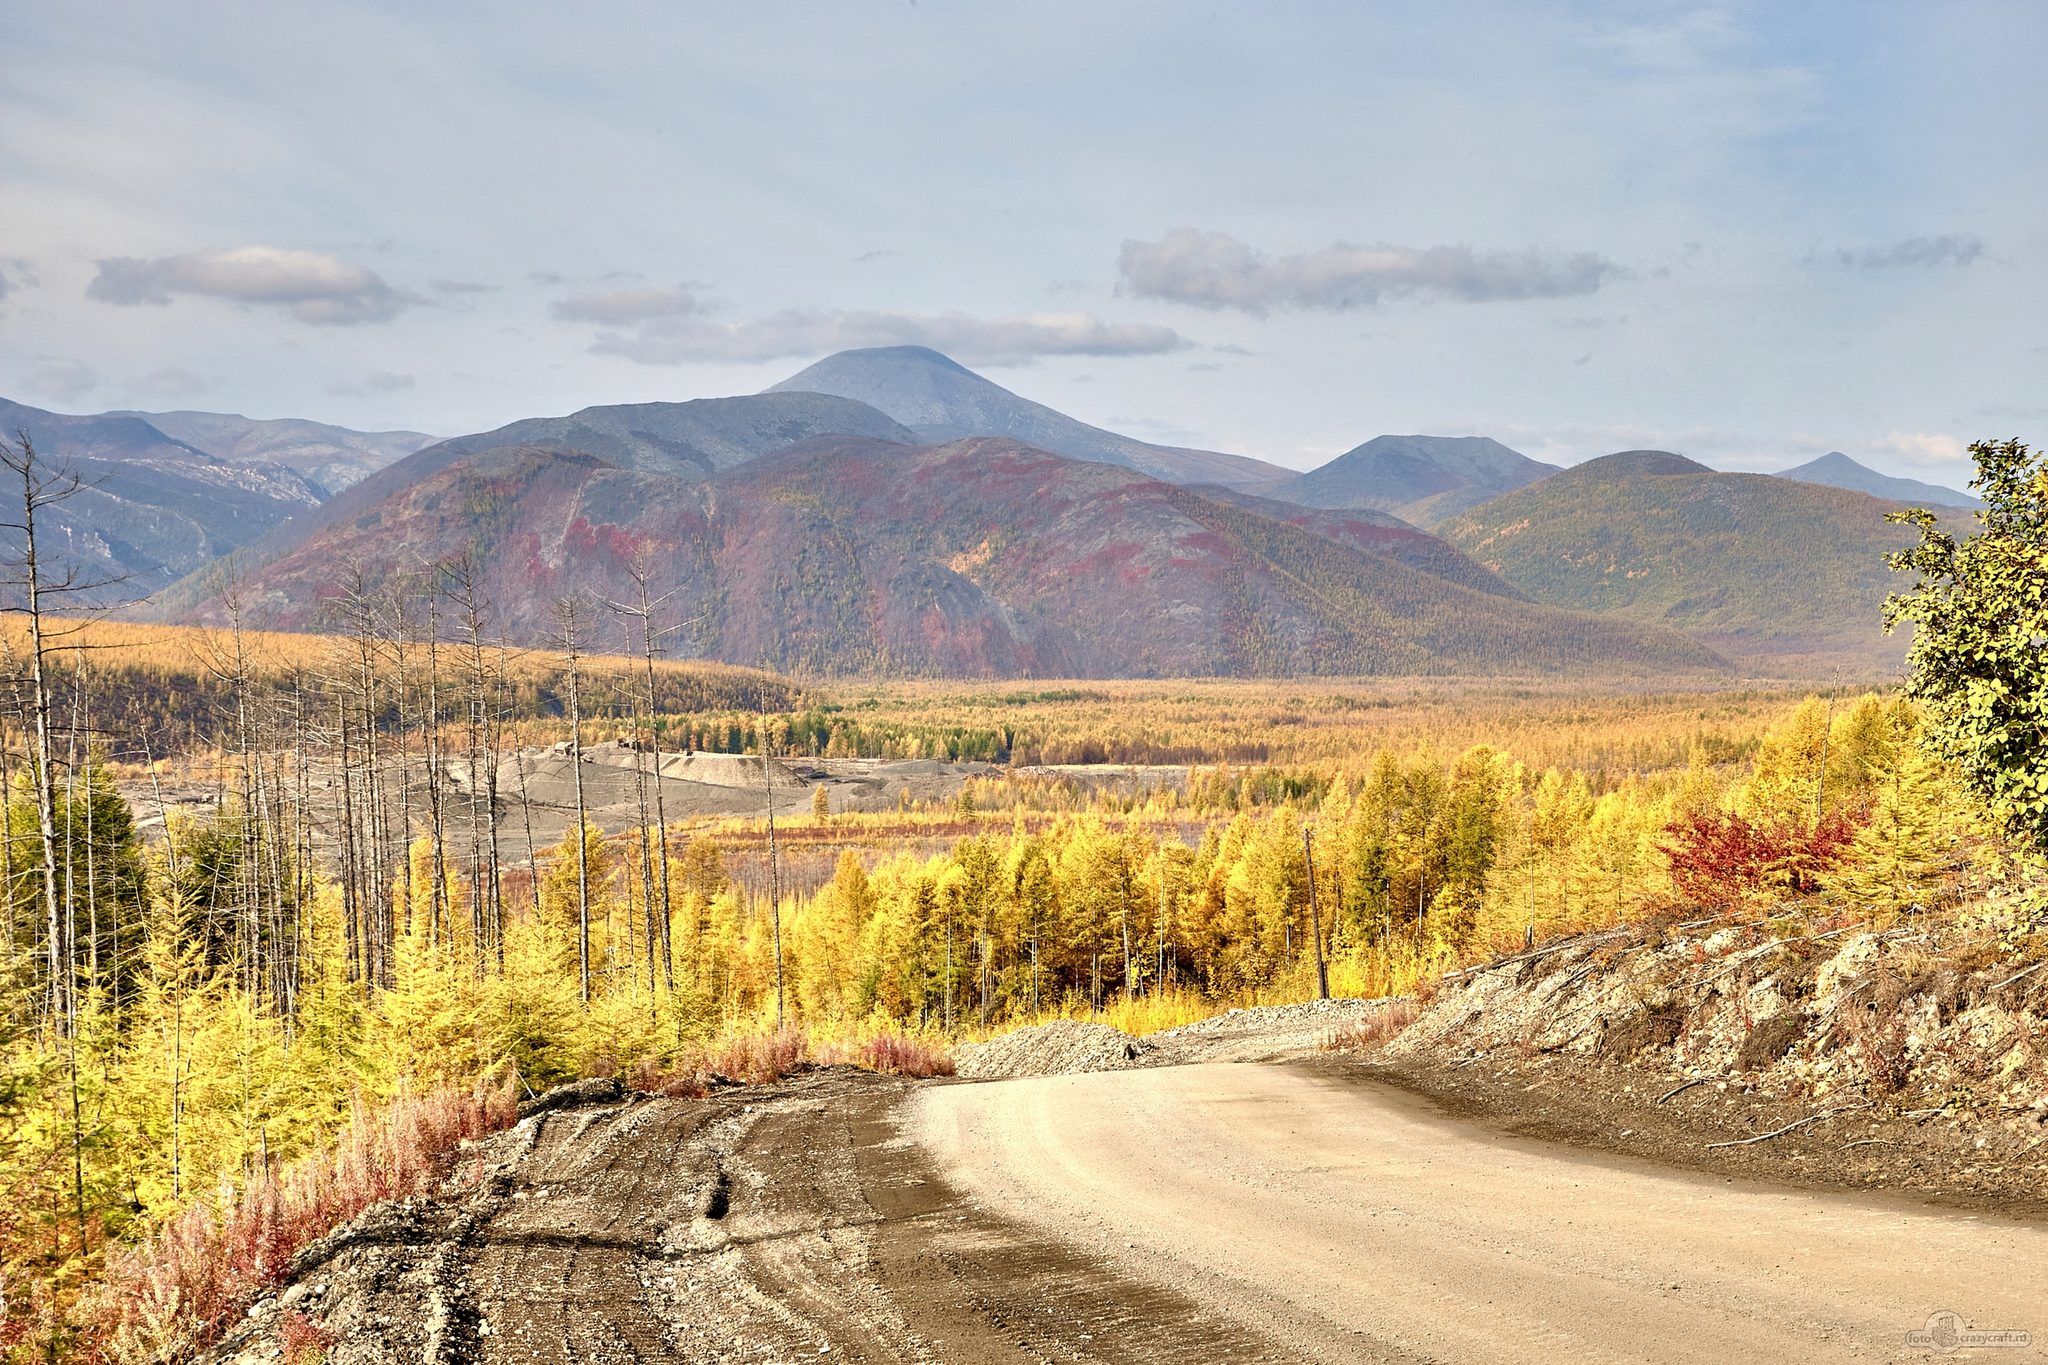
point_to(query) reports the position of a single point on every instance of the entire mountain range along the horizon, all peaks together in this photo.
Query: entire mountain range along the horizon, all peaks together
(785, 519)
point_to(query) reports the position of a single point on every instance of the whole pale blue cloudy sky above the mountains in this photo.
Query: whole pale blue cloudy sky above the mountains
(1750, 234)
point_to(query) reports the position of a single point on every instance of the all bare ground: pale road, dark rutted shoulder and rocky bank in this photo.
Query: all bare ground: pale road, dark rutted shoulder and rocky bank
(1736, 1137)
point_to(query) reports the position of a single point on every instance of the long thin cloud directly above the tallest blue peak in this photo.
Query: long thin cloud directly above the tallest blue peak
(974, 341)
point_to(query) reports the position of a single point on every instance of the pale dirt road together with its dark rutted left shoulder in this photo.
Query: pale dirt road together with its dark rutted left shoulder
(1199, 1213)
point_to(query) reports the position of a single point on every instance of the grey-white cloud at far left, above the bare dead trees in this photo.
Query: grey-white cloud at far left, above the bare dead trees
(314, 288)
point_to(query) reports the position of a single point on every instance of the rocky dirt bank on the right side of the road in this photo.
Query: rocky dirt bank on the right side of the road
(1908, 1057)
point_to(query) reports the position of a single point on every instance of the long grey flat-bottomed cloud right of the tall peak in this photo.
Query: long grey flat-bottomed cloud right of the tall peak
(1218, 271)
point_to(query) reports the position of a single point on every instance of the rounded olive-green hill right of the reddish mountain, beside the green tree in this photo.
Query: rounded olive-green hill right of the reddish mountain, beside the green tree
(1752, 566)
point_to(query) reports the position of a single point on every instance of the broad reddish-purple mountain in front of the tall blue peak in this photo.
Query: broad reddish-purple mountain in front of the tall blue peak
(974, 558)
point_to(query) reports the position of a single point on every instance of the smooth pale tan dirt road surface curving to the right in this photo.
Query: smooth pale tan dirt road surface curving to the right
(1349, 1221)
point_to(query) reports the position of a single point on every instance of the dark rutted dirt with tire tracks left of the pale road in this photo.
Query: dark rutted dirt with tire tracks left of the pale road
(767, 1225)
